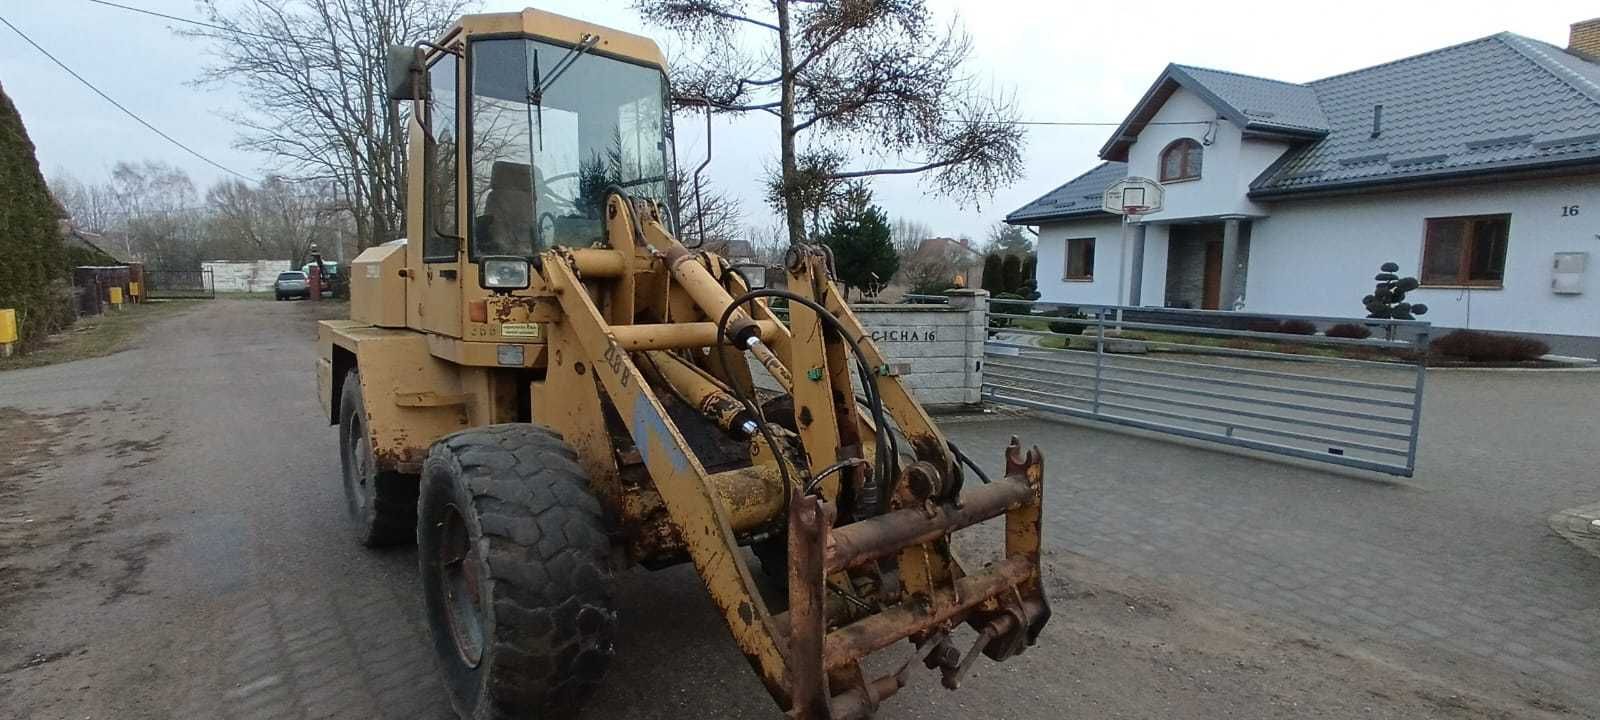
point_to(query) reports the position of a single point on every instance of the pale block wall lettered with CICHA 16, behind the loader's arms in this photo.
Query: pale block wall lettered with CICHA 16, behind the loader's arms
(937, 350)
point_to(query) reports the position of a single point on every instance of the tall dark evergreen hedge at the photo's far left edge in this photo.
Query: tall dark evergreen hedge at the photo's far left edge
(33, 262)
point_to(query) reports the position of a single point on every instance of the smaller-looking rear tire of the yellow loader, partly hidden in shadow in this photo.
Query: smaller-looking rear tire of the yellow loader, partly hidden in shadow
(382, 505)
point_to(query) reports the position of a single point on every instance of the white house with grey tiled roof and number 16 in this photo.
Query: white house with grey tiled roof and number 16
(1474, 167)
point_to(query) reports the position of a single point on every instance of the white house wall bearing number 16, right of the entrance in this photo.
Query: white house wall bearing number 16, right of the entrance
(1319, 257)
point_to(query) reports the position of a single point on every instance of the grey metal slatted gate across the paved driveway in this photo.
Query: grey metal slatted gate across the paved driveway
(1246, 380)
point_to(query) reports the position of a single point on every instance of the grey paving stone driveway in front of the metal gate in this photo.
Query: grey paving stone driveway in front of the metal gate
(1458, 559)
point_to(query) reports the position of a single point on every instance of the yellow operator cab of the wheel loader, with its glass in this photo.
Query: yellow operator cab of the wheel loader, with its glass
(521, 126)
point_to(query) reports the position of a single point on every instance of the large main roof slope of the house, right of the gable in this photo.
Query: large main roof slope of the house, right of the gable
(1494, 105)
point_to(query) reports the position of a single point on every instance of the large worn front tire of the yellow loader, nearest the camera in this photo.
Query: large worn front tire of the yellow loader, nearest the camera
(514, 558)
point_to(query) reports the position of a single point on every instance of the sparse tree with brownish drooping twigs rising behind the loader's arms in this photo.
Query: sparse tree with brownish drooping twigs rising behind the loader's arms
(879, 74)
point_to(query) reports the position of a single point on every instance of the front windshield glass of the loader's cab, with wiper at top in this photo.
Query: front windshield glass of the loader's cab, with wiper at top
(548, 142)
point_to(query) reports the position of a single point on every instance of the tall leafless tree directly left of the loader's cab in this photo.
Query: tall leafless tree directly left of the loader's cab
(313, 73)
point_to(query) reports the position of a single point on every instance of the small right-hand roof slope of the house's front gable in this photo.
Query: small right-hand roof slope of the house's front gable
(1262, 103)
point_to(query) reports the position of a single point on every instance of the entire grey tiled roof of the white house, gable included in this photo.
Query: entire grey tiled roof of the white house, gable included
(1505, 103)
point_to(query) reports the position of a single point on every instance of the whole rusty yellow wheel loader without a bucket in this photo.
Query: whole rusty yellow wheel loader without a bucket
(543, 388)
